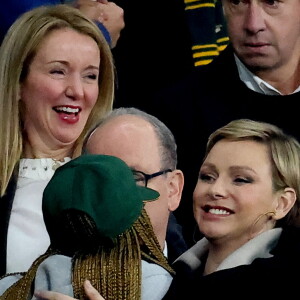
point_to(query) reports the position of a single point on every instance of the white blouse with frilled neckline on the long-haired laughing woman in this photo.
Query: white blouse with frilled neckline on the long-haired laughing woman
(27, 235)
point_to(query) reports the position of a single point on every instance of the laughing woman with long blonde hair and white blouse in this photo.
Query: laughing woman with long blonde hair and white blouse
(56, 82)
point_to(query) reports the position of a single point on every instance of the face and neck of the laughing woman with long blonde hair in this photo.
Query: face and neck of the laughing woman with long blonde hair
(66, 74)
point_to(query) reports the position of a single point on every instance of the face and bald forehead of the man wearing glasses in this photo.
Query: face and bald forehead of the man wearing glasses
(133, 140)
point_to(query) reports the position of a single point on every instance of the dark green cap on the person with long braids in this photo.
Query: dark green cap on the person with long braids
(100, 186)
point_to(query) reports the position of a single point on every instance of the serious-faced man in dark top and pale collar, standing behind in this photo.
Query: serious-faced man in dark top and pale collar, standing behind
(257, 76)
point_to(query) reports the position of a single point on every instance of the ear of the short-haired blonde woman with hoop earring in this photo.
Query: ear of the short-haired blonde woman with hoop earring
(285, 202)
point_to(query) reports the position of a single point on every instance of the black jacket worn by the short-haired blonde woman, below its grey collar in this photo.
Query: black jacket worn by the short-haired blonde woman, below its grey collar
(264, 278)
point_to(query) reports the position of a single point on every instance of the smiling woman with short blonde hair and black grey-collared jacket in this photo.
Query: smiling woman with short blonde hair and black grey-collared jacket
(246, 204)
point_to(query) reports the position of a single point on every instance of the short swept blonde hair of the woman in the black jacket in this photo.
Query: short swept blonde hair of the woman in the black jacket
(284, 155)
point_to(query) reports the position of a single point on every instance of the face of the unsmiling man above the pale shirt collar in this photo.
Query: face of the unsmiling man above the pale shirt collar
(265, 34)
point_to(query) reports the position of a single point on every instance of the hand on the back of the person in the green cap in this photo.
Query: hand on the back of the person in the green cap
(90, 291)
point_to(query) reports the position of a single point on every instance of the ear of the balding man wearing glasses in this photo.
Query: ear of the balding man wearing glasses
(176, 183)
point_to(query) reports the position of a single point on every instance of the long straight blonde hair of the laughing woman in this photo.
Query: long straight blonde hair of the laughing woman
(17, 51)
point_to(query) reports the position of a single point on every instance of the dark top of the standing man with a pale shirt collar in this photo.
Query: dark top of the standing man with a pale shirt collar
(207, 99)
